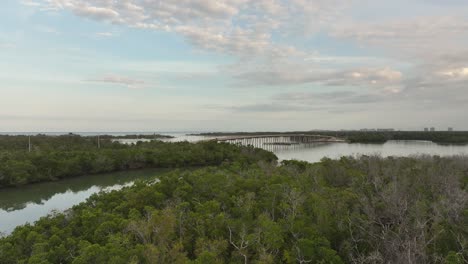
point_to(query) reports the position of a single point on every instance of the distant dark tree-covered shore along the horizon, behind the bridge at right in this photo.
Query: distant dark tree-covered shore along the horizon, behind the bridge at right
(439, 137)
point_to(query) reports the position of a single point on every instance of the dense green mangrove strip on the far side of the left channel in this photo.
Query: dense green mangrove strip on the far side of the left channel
(67, 156)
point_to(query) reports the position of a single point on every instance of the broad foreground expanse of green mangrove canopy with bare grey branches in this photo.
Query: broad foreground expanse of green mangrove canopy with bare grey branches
(367, 210)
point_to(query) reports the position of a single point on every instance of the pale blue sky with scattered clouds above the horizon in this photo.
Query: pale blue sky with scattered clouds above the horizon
(232, 65)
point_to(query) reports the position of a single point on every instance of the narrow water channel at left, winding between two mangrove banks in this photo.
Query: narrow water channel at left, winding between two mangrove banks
(28, 203)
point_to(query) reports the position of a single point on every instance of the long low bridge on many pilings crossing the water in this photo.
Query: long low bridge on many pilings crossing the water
(278, 141)
